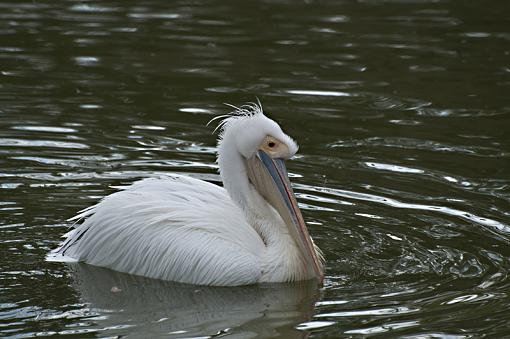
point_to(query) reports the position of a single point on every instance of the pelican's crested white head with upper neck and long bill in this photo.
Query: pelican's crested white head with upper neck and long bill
(252, 152)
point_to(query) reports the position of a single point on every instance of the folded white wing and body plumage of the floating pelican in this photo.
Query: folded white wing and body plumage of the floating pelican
(173, 228)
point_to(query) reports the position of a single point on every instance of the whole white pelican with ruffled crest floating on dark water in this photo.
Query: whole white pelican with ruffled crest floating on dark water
(187, 230)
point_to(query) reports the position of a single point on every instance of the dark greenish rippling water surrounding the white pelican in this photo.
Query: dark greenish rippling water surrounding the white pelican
(401, 110)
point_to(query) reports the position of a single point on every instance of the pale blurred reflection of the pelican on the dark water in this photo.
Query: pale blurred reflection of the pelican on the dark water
(124, 304)
